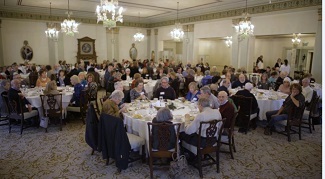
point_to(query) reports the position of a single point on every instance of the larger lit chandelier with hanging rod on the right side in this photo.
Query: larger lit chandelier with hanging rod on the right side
(245, 27)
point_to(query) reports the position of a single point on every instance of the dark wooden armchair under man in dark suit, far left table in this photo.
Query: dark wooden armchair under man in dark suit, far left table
(20, 116)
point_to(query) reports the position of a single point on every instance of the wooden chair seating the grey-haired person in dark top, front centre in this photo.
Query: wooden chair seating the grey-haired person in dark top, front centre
(163, 139)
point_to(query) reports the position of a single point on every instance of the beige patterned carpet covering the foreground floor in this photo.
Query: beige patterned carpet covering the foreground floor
(65, 154)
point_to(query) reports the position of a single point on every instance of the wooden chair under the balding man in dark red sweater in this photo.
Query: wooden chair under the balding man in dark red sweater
(229, 138)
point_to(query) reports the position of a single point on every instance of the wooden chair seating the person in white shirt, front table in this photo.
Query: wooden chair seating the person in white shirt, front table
(213, 144)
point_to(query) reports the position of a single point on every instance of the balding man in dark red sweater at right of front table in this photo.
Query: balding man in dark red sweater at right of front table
(226, 108)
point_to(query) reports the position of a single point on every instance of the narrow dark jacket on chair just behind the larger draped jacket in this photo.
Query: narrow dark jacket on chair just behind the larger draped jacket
(91, 134)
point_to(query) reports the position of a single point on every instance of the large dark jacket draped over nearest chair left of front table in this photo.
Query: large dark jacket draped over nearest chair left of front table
(114, 142)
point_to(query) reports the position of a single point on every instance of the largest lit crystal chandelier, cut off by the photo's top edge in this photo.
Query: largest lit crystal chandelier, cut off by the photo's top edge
(106, 8)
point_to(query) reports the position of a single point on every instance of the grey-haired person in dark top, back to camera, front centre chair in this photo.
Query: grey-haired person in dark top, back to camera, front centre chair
(164, 115)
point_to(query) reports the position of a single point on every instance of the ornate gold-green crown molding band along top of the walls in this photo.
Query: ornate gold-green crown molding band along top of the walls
(279, 6)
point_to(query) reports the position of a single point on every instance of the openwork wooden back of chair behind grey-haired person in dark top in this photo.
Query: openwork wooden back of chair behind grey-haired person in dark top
(163, 137)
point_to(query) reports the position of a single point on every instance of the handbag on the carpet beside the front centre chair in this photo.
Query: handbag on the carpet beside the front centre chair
(177, 165)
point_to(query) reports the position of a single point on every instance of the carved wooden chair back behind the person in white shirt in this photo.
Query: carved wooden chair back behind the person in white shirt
(214, 127)
